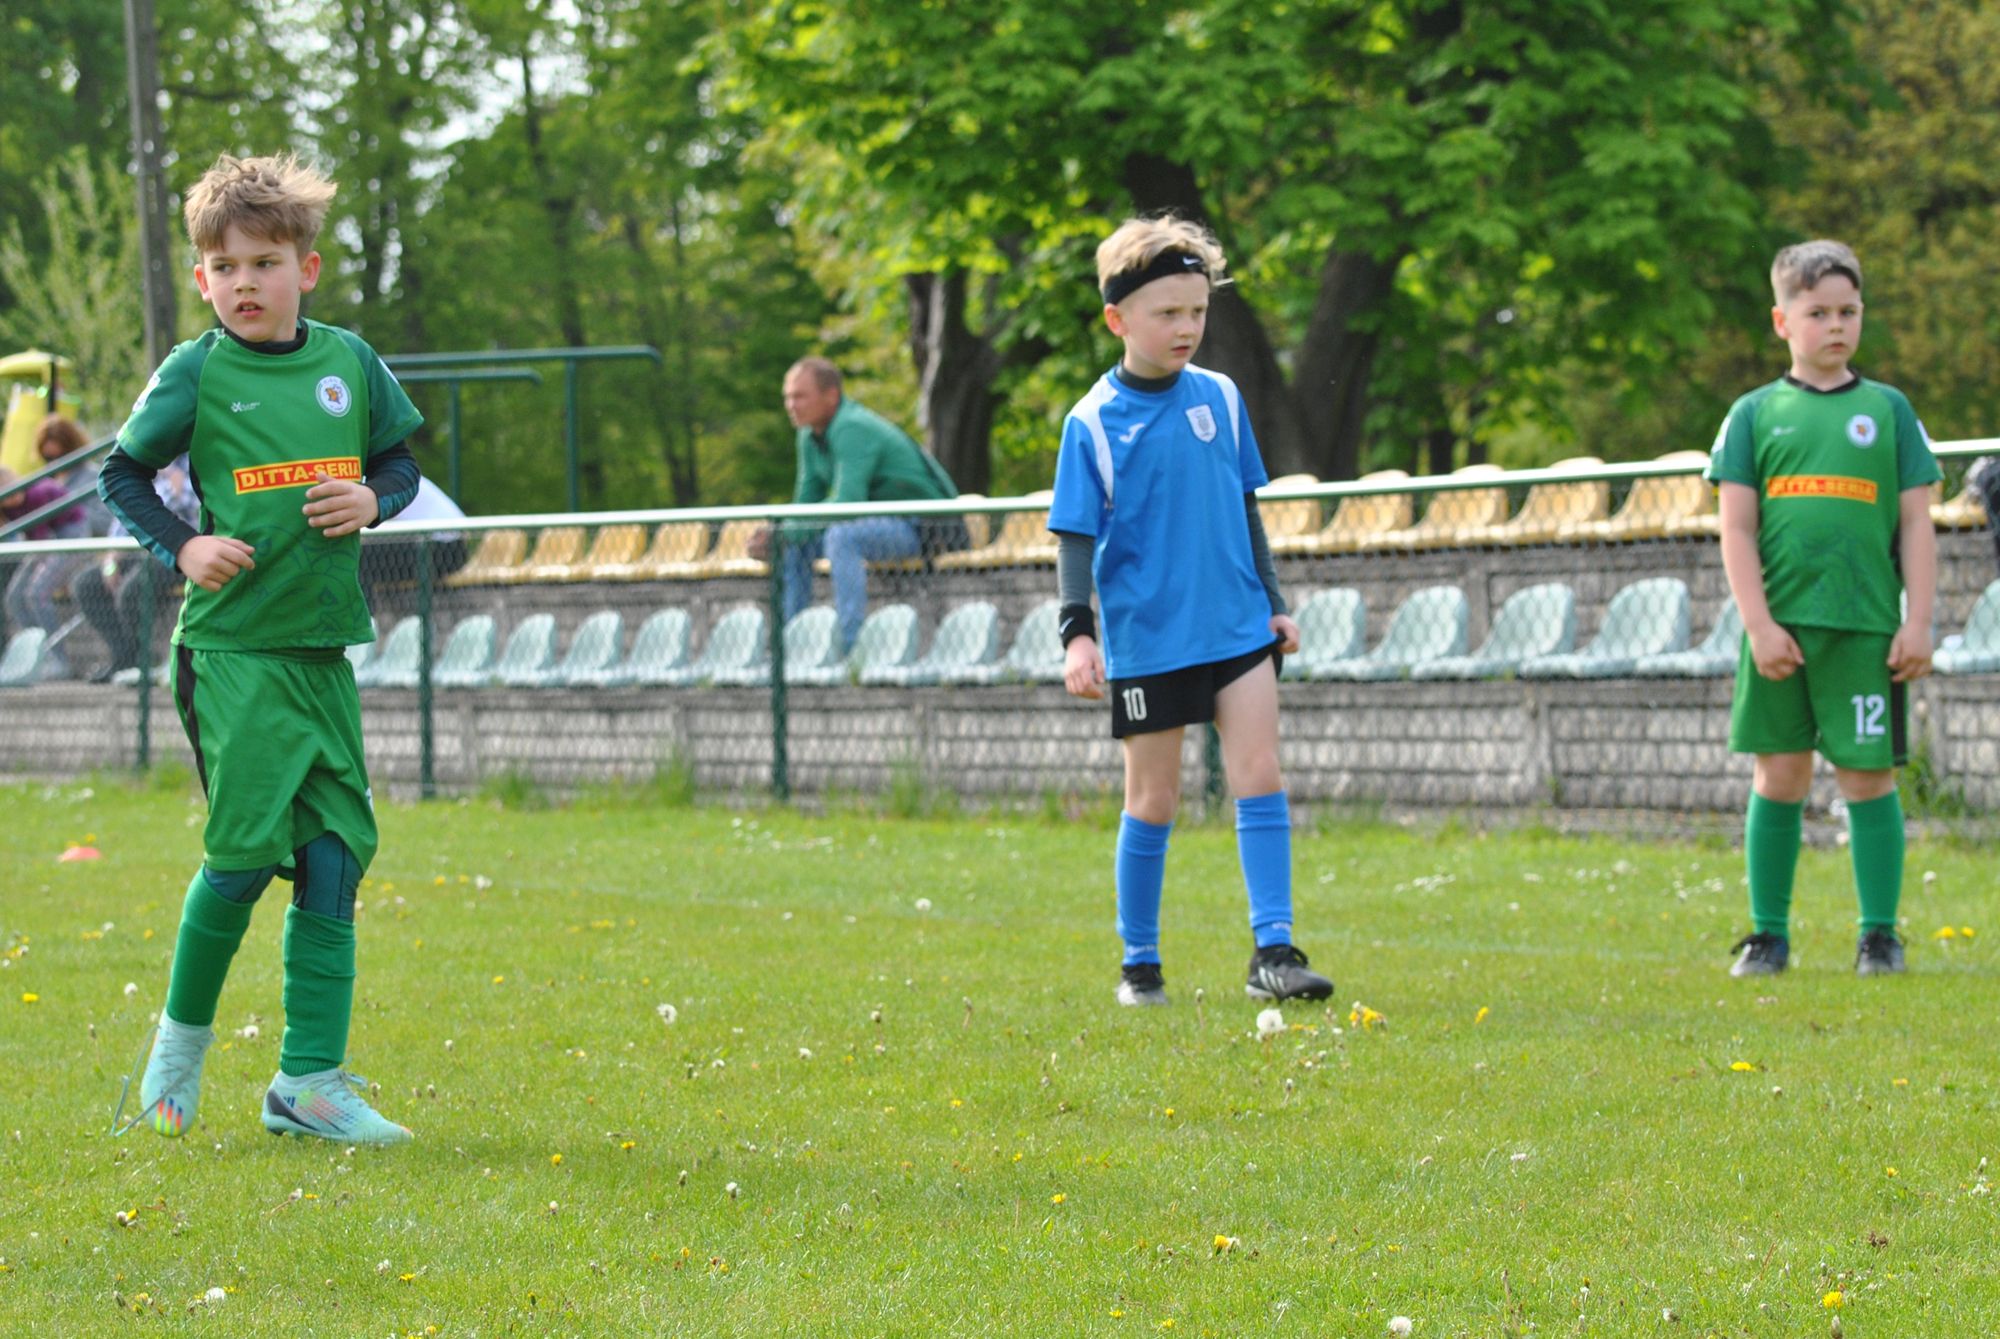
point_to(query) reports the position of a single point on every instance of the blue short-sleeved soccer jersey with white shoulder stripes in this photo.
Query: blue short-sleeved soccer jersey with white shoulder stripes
(1159, 481)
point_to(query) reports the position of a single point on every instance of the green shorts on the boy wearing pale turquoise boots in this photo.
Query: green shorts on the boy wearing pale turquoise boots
(279, 746)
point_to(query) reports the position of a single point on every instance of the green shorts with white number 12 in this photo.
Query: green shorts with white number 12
(1839, 704)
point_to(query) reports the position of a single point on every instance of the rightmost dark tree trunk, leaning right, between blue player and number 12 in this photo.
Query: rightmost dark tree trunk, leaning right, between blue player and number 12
(1335, 363)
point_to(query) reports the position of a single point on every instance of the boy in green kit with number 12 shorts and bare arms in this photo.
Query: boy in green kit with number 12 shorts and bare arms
(1825, 483)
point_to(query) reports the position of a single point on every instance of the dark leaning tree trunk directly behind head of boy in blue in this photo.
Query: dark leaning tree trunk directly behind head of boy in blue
(1235, 345)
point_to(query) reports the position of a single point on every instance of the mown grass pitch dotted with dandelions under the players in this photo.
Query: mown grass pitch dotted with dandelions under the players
(883, 1116)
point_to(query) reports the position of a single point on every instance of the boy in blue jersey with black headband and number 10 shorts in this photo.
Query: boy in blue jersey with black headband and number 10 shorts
(1155, 501)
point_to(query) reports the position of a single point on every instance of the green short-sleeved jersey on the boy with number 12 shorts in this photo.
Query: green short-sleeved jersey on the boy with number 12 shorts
(1829, 471)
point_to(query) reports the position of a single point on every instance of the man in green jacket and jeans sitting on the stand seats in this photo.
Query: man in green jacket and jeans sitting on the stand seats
(849, 453)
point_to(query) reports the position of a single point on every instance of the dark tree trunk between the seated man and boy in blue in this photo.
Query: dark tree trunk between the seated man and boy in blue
(957, 371)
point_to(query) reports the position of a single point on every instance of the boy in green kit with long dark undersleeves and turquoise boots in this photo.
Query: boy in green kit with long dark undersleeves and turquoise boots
(295, 439)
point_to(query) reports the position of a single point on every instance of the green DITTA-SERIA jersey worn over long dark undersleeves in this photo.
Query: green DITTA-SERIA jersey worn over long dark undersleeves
(259, 429)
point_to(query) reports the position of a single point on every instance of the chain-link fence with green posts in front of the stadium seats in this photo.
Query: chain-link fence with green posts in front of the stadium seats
(1519, 643)
